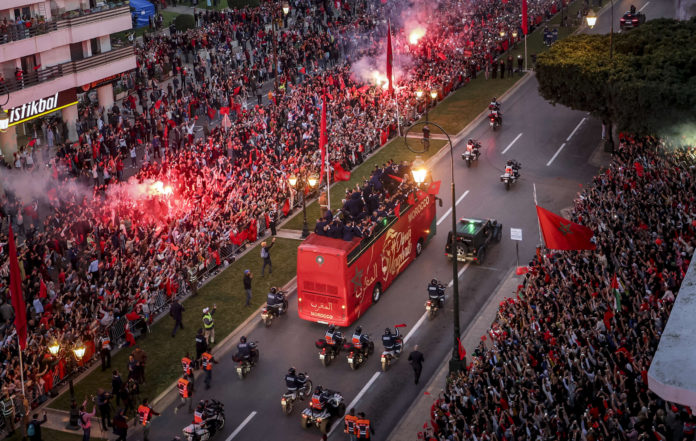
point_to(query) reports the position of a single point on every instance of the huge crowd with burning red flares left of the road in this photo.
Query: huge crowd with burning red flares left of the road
(141, 200)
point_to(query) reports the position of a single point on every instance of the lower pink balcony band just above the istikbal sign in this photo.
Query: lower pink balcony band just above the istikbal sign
(63, 76)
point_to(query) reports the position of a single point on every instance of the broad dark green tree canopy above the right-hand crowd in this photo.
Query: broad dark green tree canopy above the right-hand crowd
(649, 86)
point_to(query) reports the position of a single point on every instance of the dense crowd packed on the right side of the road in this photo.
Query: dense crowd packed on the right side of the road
(568, 358)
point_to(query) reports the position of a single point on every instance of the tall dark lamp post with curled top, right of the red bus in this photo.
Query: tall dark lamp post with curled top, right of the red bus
(418, 170)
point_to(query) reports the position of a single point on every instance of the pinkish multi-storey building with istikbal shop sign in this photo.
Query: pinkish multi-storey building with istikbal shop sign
(52, 51)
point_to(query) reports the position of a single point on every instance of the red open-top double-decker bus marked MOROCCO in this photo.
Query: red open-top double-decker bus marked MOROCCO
(338, 280)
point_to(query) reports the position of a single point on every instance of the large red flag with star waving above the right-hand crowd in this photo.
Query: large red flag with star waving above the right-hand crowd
(562, 234)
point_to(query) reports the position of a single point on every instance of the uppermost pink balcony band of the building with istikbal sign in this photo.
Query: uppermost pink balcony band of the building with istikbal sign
(69, 27)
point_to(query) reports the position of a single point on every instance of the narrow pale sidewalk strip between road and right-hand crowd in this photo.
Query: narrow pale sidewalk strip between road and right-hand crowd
(411, 424)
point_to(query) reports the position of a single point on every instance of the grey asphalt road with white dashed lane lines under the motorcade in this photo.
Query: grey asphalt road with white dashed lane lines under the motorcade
(554, 145)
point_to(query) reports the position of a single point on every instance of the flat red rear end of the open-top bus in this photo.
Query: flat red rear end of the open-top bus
(321, 287)
